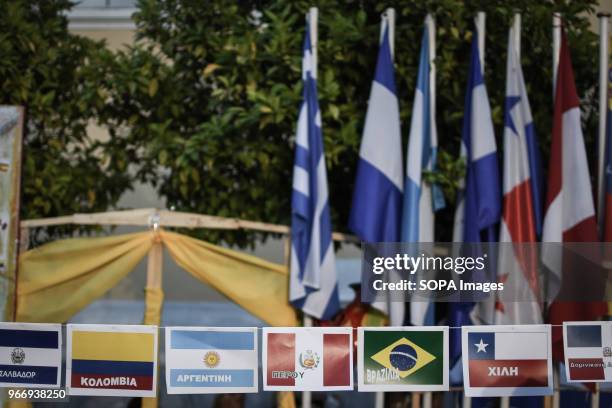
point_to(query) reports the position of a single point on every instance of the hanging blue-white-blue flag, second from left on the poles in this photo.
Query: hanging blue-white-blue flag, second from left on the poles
(377, 200)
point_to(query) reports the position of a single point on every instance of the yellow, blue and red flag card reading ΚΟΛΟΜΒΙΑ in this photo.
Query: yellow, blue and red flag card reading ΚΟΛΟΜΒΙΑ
(117, 360)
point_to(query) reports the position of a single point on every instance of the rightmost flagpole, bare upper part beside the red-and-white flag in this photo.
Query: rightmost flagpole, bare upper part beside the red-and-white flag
(603, 96)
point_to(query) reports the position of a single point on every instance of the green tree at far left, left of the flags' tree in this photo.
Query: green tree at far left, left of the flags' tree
(56, 76)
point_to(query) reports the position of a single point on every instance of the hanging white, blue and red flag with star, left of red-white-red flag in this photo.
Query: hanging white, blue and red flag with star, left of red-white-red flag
(521, 217)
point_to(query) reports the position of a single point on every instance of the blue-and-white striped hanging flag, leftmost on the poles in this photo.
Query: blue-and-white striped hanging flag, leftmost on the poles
(313, 283)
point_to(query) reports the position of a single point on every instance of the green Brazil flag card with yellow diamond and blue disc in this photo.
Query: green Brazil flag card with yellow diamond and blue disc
(403, 358)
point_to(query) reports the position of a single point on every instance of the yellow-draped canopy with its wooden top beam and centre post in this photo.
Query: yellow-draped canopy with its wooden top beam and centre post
(57, 280)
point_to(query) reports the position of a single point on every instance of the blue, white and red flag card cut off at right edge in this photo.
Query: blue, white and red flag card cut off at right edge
(588, 351)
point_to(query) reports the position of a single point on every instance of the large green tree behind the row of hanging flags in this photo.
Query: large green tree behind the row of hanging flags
(220, 89)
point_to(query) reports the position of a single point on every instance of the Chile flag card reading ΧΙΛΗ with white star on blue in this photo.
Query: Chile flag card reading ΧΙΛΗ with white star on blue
(507, 360)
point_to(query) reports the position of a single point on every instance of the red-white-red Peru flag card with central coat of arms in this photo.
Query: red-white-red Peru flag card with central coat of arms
(308, 359)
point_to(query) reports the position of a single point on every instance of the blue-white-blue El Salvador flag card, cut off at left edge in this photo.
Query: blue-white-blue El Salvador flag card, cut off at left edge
(31, 355)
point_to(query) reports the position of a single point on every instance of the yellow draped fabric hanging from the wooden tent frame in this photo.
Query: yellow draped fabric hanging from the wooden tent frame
(59, 279)
